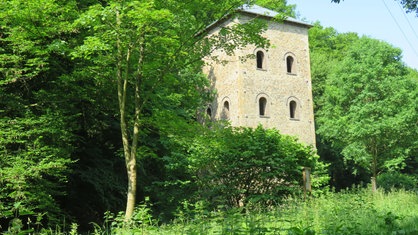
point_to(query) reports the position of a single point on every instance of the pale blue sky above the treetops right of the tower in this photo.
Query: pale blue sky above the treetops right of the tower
(380, 19)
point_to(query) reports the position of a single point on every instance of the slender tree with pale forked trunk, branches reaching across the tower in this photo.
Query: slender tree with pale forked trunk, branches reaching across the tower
(150, 49)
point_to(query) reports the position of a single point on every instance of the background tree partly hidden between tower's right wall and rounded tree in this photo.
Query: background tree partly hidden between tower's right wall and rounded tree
(327, 49)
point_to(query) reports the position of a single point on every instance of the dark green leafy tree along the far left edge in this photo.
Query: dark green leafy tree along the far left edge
(36, 121)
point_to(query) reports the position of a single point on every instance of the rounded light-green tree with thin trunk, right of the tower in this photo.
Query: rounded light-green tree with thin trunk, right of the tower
(369, 107)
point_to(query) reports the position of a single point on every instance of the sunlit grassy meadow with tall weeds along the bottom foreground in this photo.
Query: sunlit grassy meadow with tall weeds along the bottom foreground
(357, 211)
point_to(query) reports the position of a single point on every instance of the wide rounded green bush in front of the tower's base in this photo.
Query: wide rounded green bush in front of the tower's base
(241, 166)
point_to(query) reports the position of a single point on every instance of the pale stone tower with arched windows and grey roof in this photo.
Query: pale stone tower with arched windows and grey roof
(273, 89)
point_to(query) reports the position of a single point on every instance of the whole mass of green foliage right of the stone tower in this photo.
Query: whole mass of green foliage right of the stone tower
(330, 52)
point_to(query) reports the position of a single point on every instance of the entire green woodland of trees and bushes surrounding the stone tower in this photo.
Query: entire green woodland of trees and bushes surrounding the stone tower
(100, 106)
